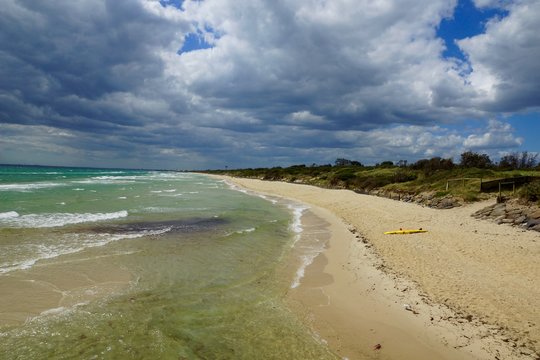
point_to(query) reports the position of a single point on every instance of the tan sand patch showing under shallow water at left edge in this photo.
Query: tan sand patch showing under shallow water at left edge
(56, 285)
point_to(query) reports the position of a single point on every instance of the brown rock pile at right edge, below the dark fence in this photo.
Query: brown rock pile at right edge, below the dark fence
(513, 213)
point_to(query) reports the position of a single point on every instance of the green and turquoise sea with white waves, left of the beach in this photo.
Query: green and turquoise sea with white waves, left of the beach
(135, 264)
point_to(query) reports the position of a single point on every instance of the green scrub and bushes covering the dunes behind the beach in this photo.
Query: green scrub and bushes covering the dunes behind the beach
(471, 180)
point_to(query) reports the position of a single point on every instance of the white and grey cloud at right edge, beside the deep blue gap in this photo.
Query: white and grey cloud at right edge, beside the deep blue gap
(504, 59)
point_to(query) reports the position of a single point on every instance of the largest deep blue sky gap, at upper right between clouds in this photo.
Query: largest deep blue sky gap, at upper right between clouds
(467, 21)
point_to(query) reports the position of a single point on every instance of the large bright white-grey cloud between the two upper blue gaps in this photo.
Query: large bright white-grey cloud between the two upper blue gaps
(357, 66)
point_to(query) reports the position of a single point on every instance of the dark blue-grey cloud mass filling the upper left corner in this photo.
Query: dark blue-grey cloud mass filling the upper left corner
(62, 58)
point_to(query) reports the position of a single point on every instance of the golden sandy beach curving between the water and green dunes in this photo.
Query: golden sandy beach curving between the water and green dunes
(466, 289)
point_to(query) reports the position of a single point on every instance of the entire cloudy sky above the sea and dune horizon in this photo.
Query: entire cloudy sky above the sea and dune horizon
(208, 84)
